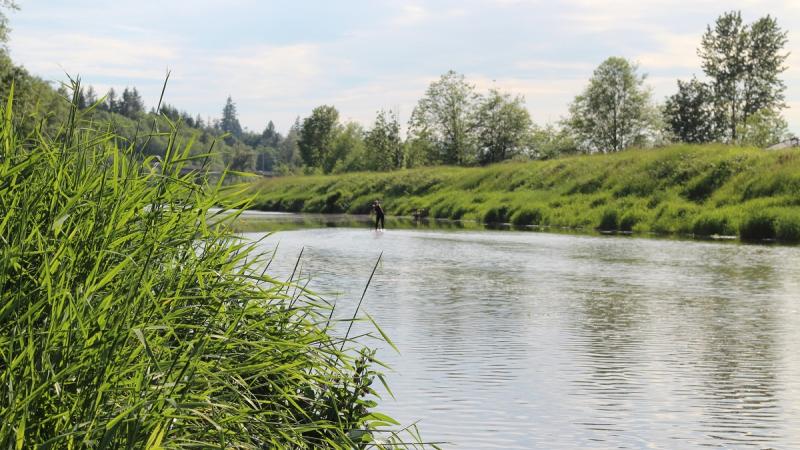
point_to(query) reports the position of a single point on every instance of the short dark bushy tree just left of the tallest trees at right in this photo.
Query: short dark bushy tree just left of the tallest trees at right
(689, 113)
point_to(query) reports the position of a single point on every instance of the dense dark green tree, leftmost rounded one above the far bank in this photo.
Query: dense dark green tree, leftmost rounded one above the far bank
(316, 136)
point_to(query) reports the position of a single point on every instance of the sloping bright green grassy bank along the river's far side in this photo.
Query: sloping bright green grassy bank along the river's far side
(699, 190)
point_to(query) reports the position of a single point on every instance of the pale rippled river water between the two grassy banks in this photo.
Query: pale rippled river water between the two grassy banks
(529, 340)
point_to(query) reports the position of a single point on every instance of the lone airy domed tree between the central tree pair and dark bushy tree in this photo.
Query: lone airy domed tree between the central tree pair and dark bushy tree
(614, 112)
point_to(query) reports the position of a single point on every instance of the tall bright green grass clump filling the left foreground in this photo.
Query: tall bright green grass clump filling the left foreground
(128, 321)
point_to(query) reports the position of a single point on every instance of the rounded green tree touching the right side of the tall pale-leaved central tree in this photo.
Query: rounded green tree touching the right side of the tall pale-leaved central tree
(503, 127)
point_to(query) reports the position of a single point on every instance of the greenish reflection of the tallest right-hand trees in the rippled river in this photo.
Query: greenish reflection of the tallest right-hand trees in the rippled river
(733, 347)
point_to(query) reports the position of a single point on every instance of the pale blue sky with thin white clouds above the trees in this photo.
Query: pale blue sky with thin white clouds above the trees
(280, 59)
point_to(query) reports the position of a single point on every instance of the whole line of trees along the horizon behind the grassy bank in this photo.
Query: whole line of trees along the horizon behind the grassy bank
(739, 101)
